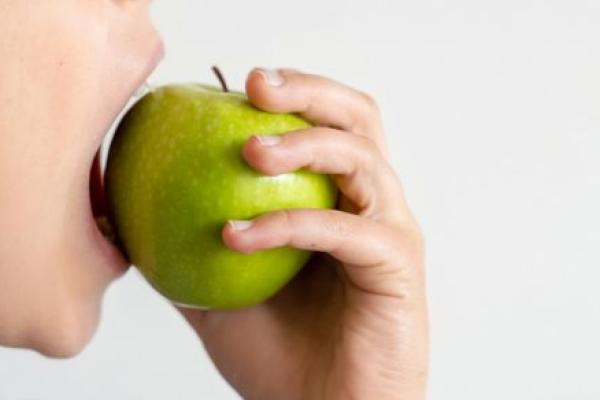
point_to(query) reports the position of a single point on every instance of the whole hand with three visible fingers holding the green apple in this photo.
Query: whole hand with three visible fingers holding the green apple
(353, 323)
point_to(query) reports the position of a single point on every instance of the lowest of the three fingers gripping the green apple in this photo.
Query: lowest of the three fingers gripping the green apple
(376, 259)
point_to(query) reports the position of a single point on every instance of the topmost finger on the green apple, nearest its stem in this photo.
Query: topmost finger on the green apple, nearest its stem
(322, 101)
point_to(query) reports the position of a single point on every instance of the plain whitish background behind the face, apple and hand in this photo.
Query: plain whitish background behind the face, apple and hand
(492, 111)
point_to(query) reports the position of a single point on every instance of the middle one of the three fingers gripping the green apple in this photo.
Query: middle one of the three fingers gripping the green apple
(360, 171)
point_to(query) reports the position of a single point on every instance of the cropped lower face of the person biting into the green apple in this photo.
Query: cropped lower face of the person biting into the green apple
(67, 68)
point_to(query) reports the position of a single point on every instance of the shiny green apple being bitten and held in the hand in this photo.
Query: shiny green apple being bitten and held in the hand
(175, 175)
